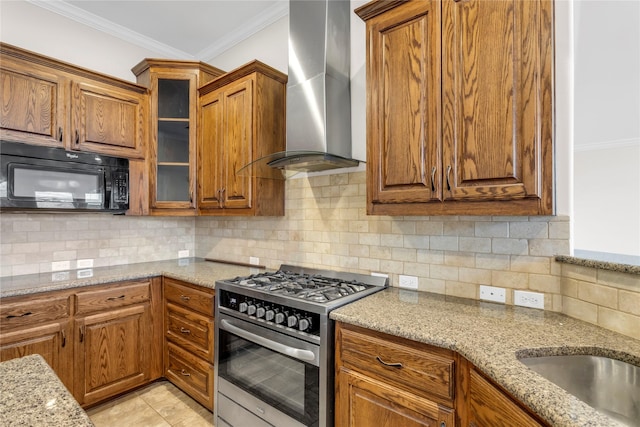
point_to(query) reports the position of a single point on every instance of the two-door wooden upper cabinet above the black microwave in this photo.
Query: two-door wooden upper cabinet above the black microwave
(49, 102)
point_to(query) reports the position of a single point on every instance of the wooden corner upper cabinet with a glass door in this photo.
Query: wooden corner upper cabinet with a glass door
(173, 123)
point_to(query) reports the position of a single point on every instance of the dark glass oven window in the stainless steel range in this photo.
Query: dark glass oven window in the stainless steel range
(287, 384)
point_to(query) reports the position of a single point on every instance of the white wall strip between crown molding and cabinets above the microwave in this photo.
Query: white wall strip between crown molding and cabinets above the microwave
(33, 28)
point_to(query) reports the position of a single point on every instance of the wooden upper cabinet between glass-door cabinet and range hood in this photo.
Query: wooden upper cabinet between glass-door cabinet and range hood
(242, 120)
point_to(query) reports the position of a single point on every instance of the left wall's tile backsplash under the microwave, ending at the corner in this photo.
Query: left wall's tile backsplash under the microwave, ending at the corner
(31, 242)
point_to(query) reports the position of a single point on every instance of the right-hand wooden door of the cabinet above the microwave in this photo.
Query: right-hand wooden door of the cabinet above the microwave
(108, 120)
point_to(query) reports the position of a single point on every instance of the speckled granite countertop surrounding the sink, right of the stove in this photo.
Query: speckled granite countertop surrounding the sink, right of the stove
(491, 336)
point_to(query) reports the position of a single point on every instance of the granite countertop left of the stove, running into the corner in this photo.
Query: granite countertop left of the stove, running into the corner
(193, 270)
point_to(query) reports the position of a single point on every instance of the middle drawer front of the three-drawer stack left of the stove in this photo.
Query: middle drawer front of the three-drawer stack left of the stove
(190, 330)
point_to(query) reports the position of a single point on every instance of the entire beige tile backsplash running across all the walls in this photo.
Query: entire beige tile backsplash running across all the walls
(325, 225)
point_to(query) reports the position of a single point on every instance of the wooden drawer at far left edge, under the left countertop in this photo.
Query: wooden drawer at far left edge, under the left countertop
(18, 312)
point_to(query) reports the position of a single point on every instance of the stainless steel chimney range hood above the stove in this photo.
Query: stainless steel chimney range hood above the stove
(318, 92)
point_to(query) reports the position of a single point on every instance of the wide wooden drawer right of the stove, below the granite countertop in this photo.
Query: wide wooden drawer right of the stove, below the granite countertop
(420, 371)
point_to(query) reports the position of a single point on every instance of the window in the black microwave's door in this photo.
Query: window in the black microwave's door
(58, 185)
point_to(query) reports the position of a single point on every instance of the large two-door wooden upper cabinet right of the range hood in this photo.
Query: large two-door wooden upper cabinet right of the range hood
(459, 114)
